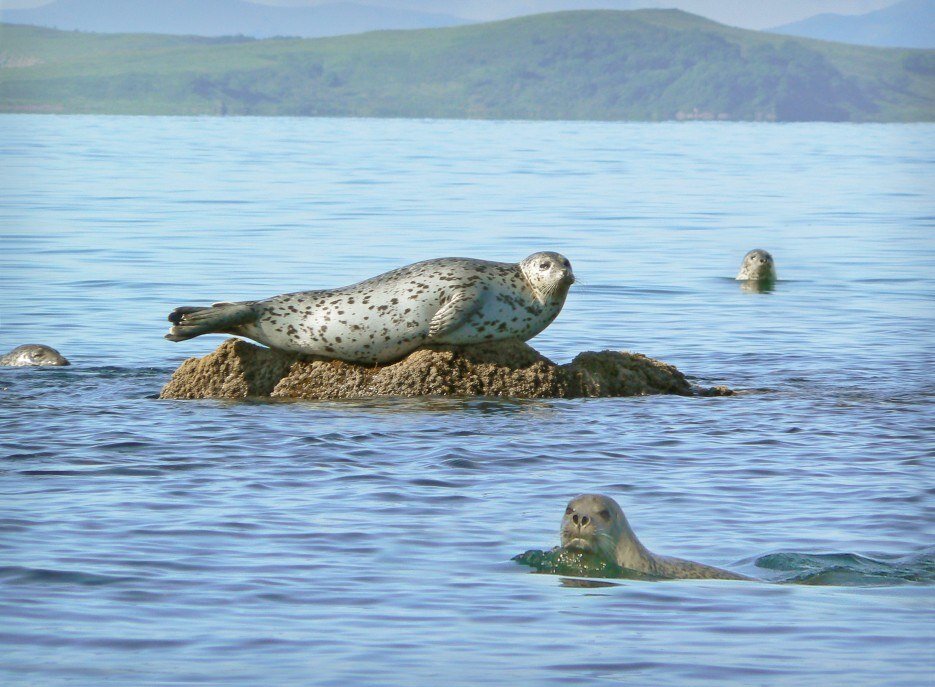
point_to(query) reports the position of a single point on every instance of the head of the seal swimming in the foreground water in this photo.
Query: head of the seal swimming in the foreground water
(594, 523)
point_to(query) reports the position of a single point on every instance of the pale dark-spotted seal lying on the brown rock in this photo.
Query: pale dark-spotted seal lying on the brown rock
(443, 301)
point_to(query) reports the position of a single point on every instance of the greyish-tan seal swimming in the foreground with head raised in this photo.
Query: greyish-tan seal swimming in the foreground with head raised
(596, 524)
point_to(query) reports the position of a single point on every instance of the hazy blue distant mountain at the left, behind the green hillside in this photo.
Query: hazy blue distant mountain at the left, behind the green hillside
(222, 18)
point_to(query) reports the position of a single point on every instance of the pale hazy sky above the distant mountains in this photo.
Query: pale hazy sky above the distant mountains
(753, 14)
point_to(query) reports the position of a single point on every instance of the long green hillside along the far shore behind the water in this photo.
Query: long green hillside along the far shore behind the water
(640, 65)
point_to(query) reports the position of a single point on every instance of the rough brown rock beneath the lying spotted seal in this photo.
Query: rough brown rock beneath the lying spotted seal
(238, 369)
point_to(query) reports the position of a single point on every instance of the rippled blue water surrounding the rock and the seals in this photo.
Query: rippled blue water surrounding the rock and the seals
(149, 542)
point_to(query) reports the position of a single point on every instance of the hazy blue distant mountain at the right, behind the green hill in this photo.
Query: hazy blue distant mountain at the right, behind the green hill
(907, 24)
